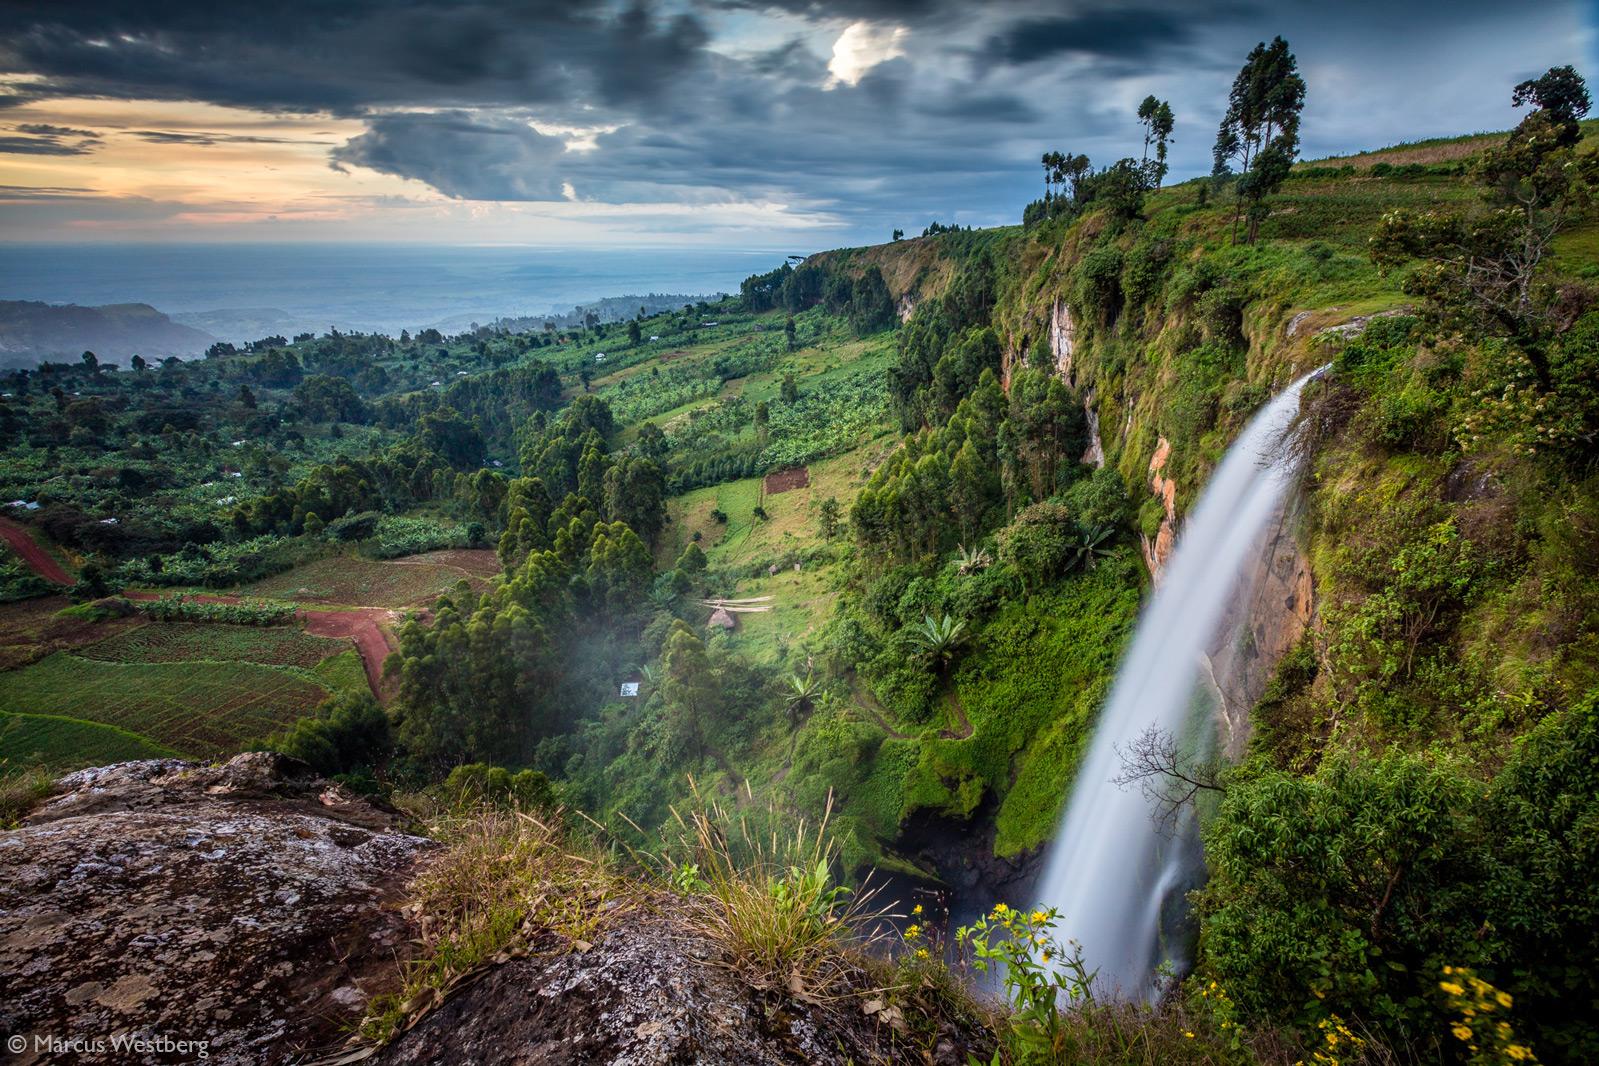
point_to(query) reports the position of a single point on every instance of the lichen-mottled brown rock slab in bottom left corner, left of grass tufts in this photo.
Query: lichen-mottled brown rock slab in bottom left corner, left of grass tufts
(245, 907)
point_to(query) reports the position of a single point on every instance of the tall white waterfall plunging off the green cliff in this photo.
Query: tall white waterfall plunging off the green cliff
(1114, 872)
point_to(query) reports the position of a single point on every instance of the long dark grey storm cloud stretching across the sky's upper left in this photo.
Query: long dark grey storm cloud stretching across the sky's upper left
(309, 55)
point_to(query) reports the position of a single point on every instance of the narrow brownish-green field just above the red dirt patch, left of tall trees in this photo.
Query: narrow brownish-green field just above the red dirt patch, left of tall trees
(369, 583)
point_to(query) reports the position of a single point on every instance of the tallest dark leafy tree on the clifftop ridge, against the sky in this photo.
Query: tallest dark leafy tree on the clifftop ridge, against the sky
(1261, 129)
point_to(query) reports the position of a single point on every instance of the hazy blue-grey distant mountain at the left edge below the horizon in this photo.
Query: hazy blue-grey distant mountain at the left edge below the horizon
(33, 332)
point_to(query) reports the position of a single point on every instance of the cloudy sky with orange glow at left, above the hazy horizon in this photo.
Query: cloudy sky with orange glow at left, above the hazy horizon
(752, 124)
